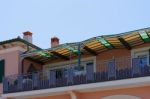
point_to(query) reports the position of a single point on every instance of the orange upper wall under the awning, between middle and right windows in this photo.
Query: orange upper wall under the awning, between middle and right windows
(123, 54)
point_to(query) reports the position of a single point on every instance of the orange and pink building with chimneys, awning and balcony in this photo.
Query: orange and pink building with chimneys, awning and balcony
(104, 67)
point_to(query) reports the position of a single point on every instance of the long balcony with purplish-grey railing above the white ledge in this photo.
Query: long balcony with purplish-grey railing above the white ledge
(108, 70)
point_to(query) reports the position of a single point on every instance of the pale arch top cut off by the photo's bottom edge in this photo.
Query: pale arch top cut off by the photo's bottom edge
(121, 97)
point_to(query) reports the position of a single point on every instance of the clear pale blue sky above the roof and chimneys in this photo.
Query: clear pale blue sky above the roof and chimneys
(71, 20)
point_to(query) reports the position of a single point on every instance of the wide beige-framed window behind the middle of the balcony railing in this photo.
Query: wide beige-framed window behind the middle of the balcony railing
(61, 70)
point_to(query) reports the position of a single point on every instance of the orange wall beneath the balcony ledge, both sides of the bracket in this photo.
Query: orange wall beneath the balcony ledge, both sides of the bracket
(128, 93)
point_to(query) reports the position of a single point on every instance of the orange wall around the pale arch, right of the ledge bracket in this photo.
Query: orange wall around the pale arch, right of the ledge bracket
(141, 92)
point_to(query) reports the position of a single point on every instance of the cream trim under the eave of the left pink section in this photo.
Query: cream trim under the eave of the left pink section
(12, 49)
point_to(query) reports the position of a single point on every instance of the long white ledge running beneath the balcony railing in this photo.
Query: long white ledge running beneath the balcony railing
(101, 86)
